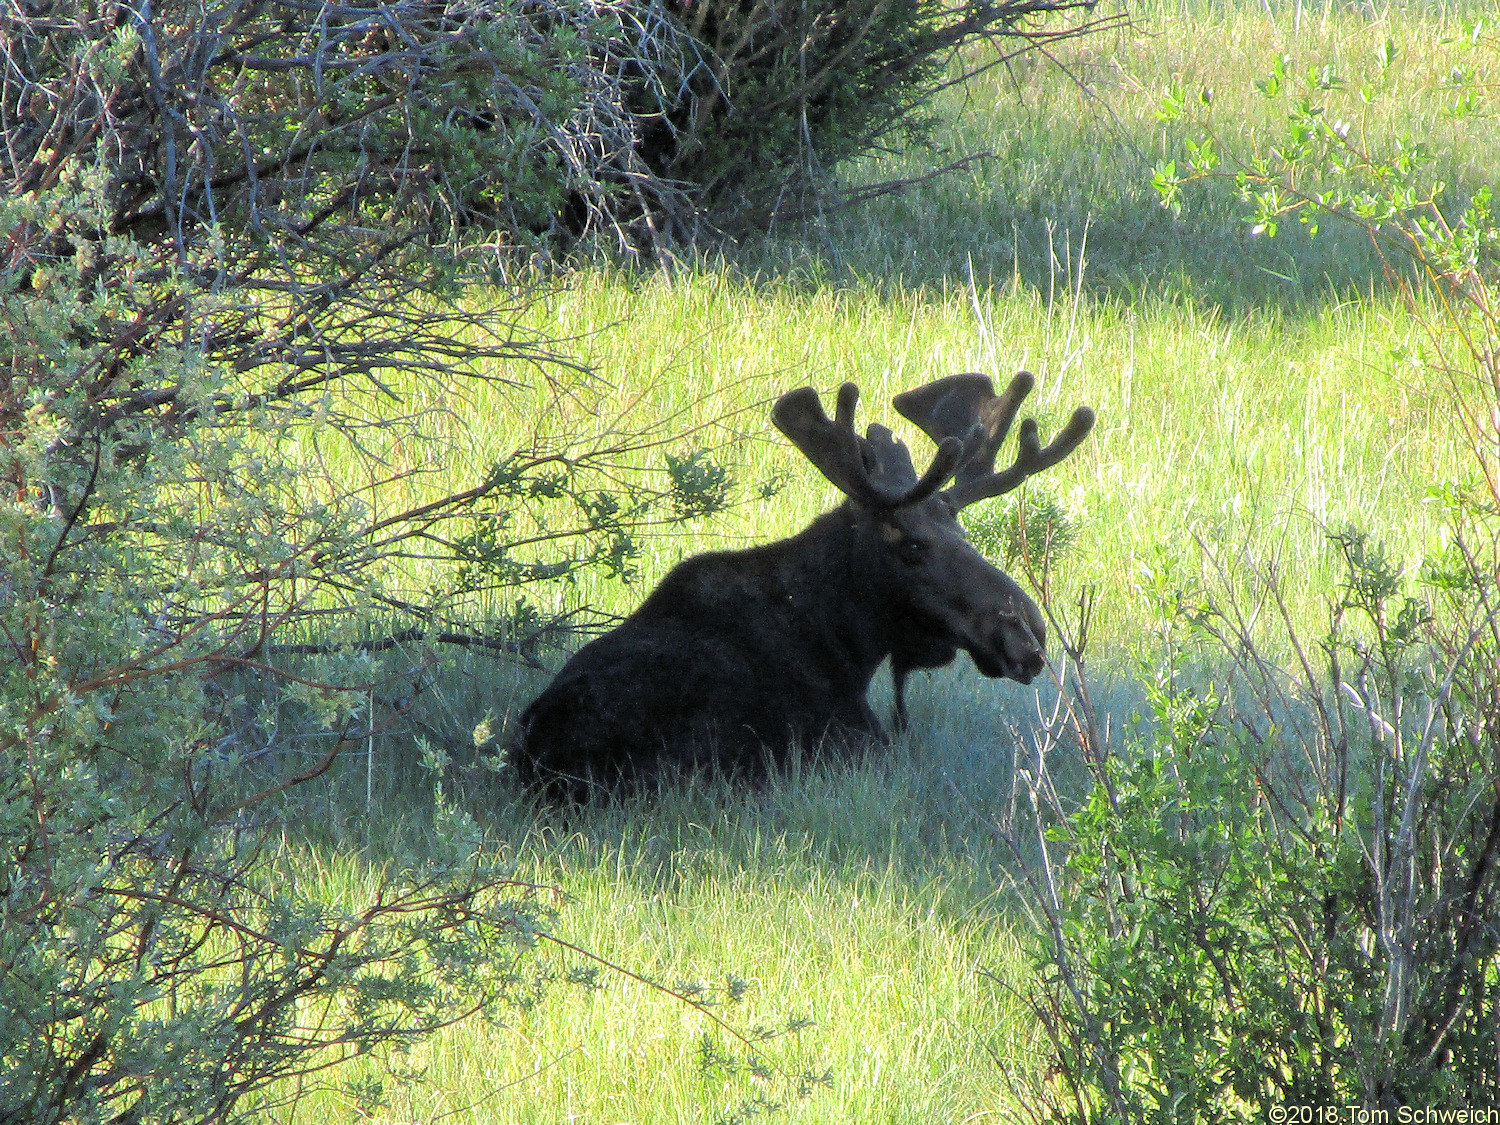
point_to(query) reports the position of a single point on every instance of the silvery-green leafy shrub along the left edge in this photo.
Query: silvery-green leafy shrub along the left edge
(158, 965)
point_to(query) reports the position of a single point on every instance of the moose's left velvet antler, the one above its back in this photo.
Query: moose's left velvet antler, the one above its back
(839, 454)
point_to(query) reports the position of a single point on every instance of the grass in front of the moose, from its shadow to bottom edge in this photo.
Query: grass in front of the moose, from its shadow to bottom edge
(860, 896)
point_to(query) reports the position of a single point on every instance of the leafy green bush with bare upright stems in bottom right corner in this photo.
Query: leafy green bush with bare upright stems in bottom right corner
(1286, 887)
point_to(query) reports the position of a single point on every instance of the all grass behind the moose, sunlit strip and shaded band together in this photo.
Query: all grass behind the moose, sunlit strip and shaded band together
(1241, 382)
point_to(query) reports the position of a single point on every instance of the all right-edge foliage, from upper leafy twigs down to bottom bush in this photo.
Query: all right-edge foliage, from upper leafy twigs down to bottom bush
(1286, 887)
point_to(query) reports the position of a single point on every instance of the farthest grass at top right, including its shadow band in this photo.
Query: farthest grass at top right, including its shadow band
(1073, 140)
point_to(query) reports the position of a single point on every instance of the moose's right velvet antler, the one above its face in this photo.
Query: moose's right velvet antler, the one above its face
(967, 407)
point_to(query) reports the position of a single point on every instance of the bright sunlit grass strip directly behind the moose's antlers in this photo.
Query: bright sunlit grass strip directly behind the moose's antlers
(1280, 424)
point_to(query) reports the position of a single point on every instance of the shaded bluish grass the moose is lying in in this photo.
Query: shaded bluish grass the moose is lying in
(926, 812)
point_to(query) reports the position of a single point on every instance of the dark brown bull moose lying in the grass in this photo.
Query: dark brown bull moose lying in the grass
(739, 655)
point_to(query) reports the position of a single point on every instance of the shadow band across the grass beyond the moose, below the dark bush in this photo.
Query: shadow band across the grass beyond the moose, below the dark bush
(1007, 229)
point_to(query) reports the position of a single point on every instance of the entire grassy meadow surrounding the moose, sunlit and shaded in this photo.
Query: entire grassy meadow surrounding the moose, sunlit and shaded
(1252, 395)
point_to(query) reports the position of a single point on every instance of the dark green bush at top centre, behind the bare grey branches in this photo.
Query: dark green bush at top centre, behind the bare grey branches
(775, 95)
